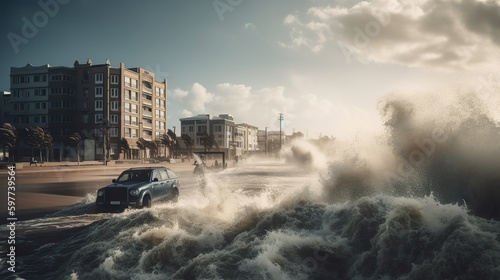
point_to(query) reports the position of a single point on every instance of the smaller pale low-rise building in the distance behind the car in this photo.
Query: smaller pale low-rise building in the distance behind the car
(236, 139)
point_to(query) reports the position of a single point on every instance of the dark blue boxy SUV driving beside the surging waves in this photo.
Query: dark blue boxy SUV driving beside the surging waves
(140, 187)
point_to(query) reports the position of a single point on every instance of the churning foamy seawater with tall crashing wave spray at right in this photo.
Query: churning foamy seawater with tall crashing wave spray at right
(419, 201)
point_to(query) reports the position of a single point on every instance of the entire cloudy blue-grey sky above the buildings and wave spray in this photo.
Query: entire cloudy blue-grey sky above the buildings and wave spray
(325, 65)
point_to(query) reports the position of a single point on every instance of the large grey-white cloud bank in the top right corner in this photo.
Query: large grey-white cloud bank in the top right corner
(447, 34)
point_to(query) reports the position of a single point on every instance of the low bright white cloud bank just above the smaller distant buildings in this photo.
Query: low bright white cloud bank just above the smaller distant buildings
(305, 112)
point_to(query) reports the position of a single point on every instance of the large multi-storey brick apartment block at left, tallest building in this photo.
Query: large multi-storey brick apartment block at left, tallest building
(102, 103)
